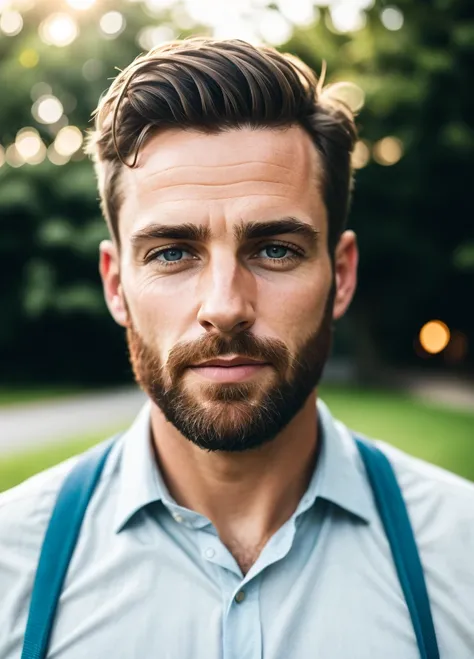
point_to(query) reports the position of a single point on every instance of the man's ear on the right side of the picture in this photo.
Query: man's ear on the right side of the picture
(346, 259)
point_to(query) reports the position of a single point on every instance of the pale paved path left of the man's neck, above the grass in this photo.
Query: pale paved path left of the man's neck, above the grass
(43, 422)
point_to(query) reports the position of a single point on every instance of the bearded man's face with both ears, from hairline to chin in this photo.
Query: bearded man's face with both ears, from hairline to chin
(224, 280)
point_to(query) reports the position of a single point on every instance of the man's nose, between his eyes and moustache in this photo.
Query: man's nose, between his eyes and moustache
(227, 297)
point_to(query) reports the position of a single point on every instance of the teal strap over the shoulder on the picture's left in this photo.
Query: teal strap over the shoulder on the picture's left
(58, 547)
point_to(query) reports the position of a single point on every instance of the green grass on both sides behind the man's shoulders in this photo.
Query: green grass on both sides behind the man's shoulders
(442, 436)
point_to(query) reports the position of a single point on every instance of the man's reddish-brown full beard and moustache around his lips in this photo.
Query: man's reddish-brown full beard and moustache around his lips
(240, 416)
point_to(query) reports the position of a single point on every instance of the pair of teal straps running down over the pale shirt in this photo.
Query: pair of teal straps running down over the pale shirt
(76, 492)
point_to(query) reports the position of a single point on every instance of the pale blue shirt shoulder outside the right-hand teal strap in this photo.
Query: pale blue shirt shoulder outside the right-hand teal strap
(441, 509)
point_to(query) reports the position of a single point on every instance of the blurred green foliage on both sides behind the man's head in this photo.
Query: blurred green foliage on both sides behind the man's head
(413, 219)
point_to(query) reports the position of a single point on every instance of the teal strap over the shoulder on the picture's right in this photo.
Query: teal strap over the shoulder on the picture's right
(394, 516)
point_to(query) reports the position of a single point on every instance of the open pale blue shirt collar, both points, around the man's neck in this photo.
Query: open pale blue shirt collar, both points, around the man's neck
(339, 475)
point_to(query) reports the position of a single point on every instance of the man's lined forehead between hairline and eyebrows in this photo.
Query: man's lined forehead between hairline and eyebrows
(223, 178)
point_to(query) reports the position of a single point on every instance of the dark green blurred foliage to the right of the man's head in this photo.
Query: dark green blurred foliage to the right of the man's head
(413, 219)
